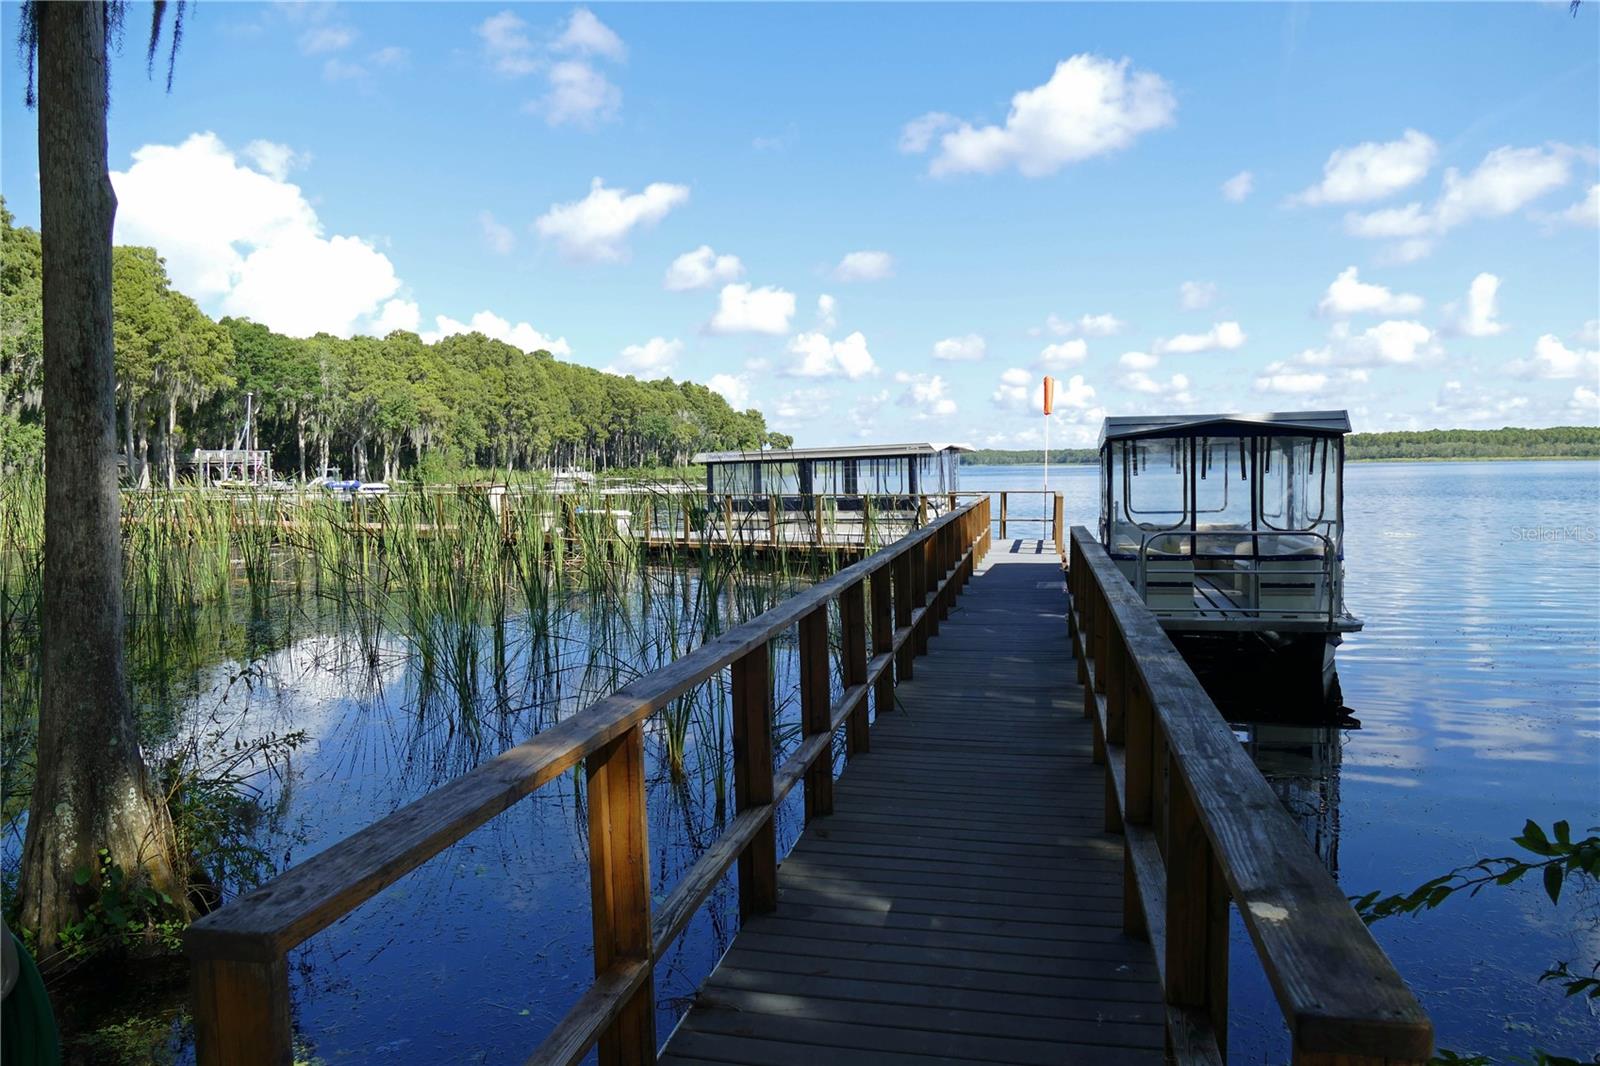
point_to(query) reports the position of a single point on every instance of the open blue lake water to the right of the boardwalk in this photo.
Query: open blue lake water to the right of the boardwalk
(1478, 687)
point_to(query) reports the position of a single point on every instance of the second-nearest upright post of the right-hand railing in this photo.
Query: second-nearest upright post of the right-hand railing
(1196, 916)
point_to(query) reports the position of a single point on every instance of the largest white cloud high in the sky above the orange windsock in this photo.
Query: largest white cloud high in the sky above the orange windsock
(1090, 106)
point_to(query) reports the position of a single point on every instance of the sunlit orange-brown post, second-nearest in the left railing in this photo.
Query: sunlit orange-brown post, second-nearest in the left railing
(620, 889)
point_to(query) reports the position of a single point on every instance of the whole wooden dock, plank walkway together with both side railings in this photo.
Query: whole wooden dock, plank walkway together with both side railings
(1033, 857)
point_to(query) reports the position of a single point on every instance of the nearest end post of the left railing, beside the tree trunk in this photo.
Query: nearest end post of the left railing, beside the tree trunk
(242, 1012)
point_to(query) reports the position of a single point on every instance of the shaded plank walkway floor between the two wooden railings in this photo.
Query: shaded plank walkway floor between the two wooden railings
(964, 904)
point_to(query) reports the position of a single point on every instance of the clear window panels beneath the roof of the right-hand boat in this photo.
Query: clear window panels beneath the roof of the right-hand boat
(1190, 495)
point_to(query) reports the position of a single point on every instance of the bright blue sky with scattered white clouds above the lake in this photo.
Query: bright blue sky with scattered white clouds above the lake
(911, 212)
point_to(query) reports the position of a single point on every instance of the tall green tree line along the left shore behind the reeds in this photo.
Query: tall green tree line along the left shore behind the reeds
(374, 407)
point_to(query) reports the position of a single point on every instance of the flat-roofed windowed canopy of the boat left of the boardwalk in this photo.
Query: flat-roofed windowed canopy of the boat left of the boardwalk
(895, 470)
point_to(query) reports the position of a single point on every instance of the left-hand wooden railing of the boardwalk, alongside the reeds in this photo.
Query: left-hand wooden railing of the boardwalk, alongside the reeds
(239, 953)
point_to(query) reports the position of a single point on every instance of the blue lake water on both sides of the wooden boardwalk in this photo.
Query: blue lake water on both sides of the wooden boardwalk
(1476, 686)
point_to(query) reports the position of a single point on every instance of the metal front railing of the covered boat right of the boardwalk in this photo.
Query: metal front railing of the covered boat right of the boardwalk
(1246, 577)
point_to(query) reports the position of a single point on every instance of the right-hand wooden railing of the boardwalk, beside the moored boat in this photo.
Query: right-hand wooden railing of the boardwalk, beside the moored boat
(1202, 830)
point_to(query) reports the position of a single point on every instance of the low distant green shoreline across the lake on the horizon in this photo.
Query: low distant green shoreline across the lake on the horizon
(1558, 443)
